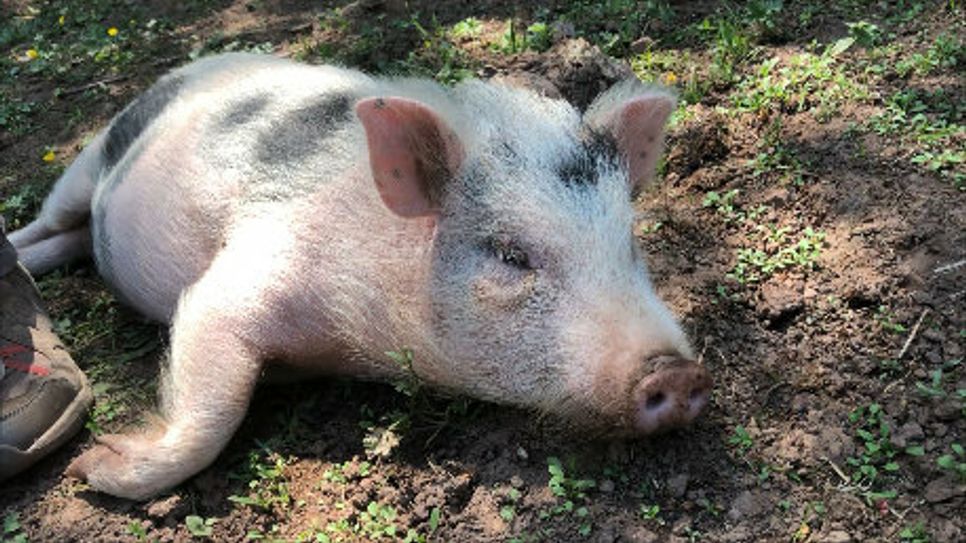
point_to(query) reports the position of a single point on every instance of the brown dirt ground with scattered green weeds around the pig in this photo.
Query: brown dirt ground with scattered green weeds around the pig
(809, 229)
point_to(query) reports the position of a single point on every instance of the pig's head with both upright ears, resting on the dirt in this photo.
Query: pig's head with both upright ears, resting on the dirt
(539, 295)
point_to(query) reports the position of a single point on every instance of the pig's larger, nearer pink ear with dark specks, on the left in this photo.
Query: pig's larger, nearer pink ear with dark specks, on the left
(411, 151)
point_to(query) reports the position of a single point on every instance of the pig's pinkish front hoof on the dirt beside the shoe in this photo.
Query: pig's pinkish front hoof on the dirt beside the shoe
(117, 465)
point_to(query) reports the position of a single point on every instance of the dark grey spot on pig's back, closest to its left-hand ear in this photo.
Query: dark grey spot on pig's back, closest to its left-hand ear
(300, 133)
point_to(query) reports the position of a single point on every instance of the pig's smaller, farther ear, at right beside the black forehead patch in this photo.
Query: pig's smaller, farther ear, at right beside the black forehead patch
(637, 125)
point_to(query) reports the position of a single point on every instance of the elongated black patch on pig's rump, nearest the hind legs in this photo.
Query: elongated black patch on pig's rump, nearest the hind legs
(131, 122)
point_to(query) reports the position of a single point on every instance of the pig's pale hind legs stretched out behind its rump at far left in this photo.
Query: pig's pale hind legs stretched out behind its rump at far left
(60, 232)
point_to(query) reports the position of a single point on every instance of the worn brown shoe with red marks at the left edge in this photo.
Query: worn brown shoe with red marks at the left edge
(44, 396)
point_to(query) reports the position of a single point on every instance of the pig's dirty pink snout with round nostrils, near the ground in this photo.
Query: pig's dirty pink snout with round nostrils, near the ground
(672, 394)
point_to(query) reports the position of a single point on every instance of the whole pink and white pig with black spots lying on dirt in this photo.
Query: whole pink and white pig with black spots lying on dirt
(275, 212)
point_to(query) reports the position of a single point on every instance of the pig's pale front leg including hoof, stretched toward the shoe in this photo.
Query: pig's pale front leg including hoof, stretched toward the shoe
(216, 357)
